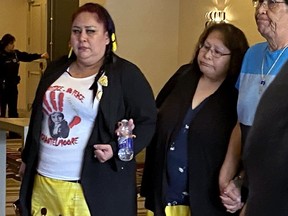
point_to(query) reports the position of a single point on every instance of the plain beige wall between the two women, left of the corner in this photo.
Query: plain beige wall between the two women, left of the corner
(147, 34)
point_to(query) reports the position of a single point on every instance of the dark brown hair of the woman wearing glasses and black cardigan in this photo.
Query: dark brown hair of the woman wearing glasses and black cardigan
(234, 39)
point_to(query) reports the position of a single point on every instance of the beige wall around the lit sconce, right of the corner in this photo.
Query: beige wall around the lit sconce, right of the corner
(192, 21)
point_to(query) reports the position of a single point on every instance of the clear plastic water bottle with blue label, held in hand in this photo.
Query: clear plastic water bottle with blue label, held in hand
(125, 142)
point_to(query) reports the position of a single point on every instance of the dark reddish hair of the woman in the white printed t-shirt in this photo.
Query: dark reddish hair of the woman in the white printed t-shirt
(102, 16)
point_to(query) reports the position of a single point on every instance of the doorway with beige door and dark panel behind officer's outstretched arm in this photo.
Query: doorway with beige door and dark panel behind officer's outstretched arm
(49, 24)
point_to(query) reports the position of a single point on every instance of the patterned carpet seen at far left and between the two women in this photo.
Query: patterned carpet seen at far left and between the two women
(13, 183)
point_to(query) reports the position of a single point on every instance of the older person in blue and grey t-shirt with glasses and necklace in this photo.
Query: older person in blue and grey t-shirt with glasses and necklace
(261, 64)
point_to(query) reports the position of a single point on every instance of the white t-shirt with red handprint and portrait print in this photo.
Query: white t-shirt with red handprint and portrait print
(69, 113)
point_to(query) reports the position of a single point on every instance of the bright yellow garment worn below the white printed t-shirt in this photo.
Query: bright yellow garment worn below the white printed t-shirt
(58, 198)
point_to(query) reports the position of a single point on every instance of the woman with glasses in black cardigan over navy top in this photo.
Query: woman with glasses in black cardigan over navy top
(196, 114)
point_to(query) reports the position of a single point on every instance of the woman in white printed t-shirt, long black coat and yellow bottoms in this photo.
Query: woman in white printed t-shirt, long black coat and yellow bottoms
(73, 168)
